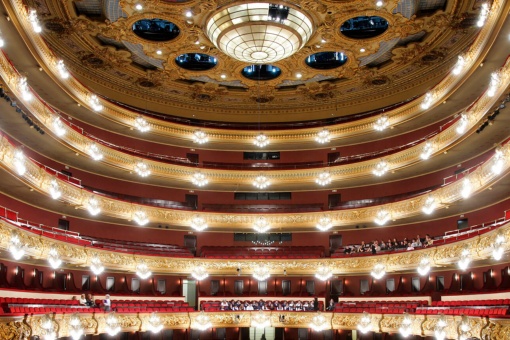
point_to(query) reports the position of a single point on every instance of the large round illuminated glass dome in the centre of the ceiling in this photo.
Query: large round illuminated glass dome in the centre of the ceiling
(259, 33)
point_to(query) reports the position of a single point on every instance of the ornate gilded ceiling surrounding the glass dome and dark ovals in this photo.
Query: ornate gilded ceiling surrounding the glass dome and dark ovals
(419, 48)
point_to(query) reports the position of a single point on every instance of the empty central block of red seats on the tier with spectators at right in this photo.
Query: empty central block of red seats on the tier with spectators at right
(235, 252)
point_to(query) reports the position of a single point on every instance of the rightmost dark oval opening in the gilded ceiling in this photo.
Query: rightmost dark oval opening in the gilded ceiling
(364, 27)
